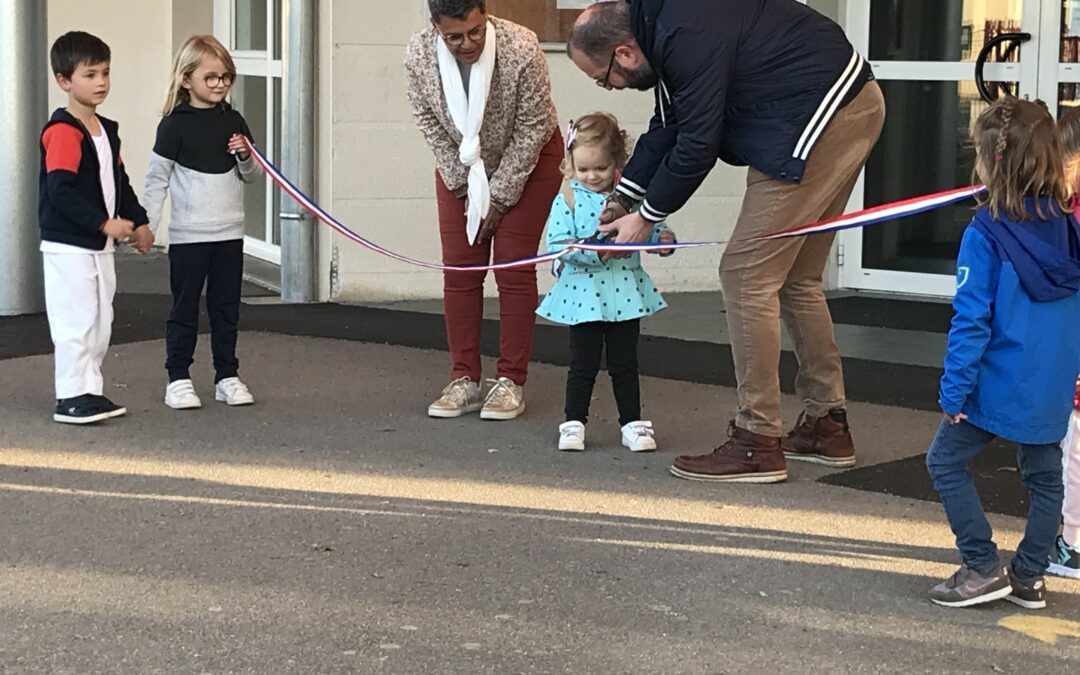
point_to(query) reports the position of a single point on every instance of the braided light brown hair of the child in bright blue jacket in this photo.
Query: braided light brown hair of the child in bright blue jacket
(1019, 148)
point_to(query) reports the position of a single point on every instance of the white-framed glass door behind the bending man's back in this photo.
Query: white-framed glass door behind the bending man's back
(924, 56)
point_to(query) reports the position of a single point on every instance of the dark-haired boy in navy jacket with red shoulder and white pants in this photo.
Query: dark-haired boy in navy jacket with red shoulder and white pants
(86, 205)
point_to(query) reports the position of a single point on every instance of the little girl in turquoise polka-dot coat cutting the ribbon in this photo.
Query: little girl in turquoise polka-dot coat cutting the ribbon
(601, 301)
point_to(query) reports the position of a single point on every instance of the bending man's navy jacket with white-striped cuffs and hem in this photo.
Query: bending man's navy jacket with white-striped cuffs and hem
(752, 83)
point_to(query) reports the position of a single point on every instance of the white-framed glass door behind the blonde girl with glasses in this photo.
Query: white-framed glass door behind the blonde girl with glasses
(251, 30)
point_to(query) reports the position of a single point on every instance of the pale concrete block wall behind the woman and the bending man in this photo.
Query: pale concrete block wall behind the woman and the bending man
(383, 175)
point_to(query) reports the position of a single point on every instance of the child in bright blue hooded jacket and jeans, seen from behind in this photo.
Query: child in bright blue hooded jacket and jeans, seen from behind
(1014, 353)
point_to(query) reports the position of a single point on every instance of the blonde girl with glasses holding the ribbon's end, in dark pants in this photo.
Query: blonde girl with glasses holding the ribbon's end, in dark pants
(200, 160)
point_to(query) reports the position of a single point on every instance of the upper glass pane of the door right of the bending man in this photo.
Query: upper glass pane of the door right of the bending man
(940, 30)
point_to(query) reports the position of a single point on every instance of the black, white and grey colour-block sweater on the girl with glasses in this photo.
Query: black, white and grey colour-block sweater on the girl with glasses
(193, 166)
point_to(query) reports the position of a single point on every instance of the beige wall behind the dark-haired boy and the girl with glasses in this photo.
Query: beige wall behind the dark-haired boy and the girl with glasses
(142, 36)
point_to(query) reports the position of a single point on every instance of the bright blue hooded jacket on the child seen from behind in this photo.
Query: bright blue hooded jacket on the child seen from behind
(1015, 345)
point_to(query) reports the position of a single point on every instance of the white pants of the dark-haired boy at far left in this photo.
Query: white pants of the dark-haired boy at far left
(79, 290)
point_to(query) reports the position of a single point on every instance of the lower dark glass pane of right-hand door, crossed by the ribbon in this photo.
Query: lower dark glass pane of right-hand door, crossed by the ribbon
(941, 115)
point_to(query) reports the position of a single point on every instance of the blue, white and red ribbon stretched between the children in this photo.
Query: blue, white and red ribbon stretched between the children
(861, 219)
